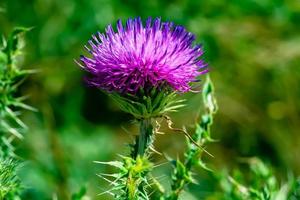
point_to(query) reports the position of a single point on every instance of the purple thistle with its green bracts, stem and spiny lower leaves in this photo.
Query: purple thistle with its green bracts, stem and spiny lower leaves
(143, 67)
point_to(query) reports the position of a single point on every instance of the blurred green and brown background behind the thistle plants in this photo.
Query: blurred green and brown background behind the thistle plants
(252, 47)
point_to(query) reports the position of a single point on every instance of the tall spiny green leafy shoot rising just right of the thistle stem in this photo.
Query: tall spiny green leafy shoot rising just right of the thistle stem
(182, 174)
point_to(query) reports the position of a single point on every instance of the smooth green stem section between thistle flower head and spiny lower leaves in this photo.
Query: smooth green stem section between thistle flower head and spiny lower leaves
(145, 137)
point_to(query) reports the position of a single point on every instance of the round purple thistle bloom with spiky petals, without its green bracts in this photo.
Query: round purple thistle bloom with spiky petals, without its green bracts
(138, 56)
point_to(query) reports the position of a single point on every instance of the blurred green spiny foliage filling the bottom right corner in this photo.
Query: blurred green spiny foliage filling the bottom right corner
(259, 183)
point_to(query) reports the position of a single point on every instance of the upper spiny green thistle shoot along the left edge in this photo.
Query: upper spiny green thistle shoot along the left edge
(11, 76)
